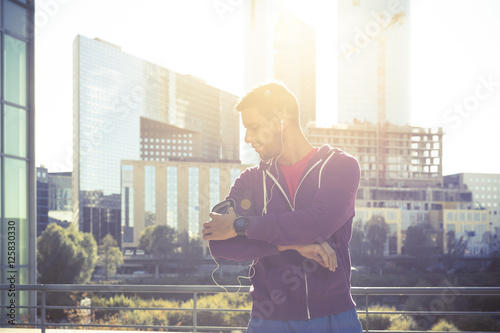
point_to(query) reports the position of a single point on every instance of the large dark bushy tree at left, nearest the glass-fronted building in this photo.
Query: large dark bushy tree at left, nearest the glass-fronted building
(65, 255)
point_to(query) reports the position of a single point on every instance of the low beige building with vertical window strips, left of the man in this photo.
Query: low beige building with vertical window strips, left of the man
(179, 194)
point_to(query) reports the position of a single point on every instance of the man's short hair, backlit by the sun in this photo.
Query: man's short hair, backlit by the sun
(271, 99)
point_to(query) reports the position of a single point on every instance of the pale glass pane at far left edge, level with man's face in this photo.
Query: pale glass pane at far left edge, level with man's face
(15, 131)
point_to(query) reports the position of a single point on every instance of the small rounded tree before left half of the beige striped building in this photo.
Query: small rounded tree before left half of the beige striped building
(159, 240)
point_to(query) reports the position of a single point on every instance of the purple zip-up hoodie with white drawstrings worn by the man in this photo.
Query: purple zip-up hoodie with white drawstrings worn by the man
(285, 285)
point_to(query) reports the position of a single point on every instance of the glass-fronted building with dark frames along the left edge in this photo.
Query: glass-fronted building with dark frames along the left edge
(17, 157)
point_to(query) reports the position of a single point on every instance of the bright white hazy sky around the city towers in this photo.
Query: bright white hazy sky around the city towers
(455, 74)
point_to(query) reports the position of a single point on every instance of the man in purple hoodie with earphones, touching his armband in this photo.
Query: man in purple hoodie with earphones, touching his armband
(294, 220)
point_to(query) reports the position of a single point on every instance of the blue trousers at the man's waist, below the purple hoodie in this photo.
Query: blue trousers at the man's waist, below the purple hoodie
(344, 322)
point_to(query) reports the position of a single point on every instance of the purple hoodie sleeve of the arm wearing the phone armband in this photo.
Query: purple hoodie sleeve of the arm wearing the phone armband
(242, 248)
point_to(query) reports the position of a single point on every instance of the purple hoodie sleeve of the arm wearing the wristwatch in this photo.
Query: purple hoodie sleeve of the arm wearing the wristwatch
(331, 208)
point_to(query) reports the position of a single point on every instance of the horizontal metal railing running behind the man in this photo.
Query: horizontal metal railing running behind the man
(443, 296)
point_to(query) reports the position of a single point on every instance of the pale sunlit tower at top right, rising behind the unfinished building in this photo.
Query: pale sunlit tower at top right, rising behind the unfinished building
(374, 61)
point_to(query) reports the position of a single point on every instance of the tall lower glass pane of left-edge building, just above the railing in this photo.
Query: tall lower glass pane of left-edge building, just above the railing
(16, 206)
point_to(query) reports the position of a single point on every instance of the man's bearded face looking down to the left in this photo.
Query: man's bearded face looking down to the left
(263, 134)
